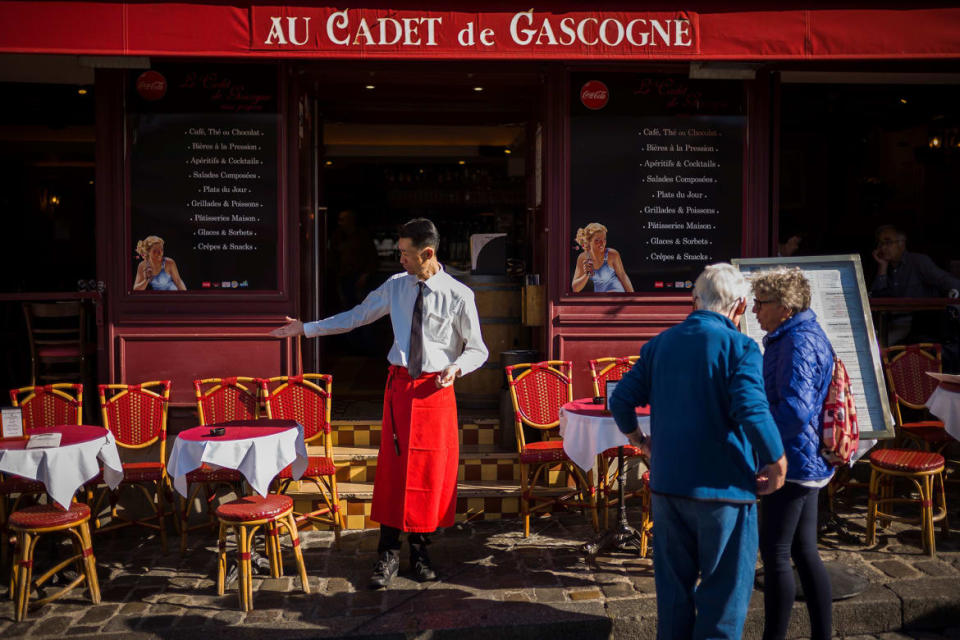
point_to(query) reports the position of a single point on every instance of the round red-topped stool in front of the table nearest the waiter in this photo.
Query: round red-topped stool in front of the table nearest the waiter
(245, 516)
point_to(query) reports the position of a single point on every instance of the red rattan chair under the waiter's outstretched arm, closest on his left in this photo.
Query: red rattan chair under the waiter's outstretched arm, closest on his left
(306, 398)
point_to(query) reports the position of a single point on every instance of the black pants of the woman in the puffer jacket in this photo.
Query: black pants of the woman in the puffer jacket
(788, 528)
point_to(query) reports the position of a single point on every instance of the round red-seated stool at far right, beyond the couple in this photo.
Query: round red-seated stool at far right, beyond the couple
(920, 467)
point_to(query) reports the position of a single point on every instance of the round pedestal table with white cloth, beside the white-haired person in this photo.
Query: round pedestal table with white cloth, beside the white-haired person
(587, 431)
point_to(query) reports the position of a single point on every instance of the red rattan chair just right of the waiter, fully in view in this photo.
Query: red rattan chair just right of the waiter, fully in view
(538, 390)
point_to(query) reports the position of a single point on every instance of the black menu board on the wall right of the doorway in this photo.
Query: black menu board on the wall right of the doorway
(657, 161)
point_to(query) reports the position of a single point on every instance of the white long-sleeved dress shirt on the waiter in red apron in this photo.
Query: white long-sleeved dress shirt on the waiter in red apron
(451, 326)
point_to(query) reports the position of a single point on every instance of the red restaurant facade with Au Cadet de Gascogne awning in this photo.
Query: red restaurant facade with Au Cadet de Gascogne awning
(222, 127)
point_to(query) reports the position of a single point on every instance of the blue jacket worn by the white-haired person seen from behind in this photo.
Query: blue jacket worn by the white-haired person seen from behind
(709, 418)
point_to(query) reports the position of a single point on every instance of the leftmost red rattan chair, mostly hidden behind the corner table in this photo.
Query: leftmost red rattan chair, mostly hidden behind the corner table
(42, 406)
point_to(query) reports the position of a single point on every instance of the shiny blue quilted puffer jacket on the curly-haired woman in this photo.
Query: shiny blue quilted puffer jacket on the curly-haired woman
(797, 367)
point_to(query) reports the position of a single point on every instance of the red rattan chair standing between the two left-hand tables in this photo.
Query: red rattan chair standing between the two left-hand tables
(136, 414)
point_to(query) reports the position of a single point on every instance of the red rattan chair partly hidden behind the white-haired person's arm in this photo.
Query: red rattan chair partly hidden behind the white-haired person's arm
(611, 369)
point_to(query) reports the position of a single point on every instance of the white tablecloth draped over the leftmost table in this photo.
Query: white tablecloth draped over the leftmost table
(64, 469)
